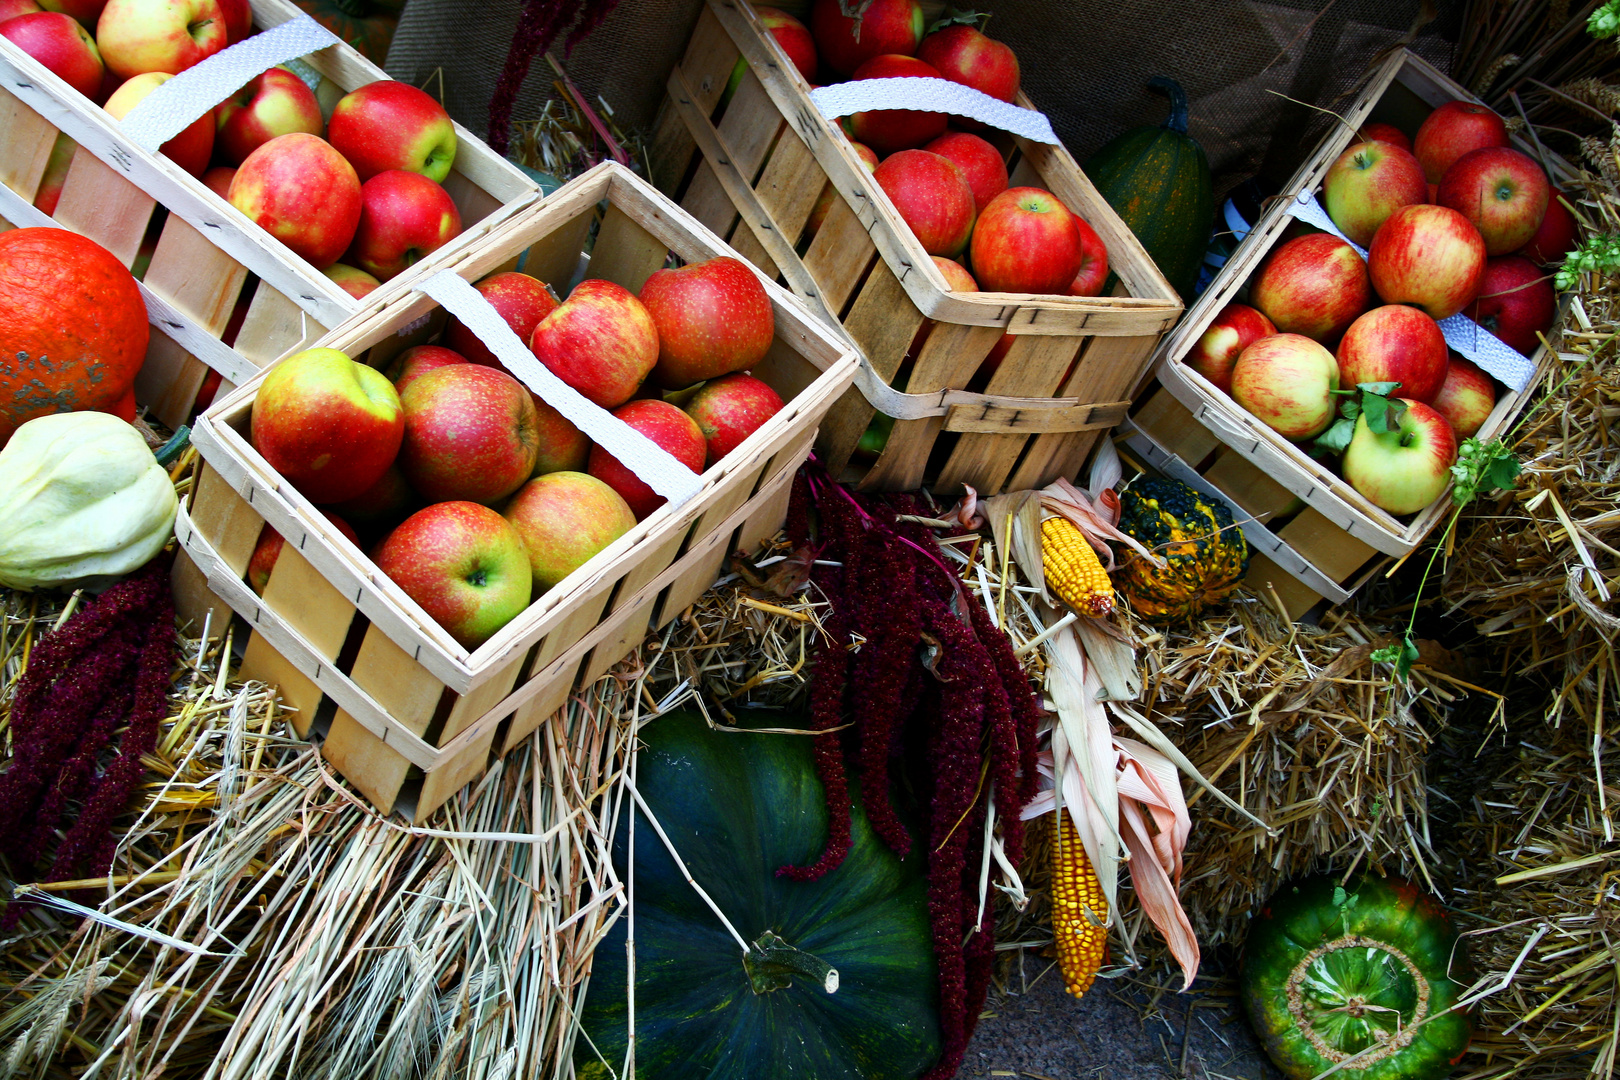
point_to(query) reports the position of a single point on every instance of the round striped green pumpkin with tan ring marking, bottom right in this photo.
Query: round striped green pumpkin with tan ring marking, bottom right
(1331, 972)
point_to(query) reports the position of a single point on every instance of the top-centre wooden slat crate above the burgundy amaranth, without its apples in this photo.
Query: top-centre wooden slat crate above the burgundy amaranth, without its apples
(754, 176)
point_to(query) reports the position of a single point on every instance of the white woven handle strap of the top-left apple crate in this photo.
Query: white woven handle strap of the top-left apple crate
(176, 106)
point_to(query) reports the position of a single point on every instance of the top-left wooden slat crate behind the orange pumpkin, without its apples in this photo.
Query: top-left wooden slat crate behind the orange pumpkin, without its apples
(210, 257)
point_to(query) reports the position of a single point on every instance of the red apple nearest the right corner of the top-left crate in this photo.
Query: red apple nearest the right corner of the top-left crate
(404, 218)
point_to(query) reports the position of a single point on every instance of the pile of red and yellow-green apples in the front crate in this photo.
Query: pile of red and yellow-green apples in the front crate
(479, 495)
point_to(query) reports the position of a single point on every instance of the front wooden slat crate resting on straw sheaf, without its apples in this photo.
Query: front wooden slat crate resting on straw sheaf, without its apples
(417, 715)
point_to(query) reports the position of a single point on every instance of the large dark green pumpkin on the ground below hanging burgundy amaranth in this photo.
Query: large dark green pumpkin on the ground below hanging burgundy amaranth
(740, 807)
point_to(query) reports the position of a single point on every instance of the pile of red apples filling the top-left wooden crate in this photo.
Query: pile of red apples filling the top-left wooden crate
(359, 197)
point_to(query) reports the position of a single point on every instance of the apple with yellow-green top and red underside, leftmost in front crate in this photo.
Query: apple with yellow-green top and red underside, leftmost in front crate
(328, 425)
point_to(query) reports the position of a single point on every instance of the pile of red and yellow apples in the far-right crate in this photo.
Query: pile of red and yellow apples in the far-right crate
(1454, 221)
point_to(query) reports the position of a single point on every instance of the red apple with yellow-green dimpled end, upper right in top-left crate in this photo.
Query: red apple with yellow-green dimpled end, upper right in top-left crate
(393, 125)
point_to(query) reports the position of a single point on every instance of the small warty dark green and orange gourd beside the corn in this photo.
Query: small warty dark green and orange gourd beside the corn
(1195, 535)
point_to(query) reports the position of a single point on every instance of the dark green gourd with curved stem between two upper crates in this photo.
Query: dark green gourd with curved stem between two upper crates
(1157, 179)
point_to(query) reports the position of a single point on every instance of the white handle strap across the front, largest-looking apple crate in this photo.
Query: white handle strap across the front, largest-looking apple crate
(650, 462)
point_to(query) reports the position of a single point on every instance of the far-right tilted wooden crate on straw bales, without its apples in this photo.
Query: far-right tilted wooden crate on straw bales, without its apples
(1318, 538)
